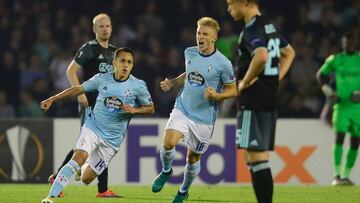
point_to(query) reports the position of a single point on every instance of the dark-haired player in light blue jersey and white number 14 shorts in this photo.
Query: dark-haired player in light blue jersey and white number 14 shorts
(120, 95)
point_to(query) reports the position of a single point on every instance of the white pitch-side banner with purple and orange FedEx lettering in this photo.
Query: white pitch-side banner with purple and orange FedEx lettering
(303, 153)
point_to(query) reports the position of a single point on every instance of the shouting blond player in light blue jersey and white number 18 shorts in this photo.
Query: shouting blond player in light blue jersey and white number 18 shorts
(209, 78)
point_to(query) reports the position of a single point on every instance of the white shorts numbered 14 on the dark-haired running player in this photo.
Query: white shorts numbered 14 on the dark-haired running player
(100, 153)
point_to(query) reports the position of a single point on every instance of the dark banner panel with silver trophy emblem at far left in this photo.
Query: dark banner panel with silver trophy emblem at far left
(26, 150)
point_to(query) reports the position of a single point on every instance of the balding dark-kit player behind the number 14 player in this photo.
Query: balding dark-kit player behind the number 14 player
(94, 57)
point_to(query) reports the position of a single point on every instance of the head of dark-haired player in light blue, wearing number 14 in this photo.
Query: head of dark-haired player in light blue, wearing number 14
(123, 64)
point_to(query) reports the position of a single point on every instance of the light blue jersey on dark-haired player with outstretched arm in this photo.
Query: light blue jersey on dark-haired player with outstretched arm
(107, 120)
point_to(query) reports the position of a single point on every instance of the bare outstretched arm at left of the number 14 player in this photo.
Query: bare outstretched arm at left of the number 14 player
(70, 92)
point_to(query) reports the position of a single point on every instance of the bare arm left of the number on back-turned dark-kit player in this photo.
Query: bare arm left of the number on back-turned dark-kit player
(255, 68)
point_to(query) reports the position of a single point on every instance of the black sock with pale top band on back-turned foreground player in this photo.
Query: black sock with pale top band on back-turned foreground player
(262, 181)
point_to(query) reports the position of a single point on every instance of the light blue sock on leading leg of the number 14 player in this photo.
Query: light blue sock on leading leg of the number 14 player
(63, 178)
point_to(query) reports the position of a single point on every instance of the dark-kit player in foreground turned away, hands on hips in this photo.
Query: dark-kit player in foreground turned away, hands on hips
(264, 59)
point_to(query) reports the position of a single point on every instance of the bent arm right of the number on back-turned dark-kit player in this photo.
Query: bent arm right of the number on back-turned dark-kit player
(287, 55)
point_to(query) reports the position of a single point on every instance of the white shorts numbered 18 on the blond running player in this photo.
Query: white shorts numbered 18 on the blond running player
(196, 135)
